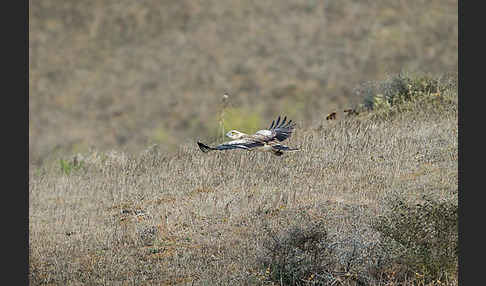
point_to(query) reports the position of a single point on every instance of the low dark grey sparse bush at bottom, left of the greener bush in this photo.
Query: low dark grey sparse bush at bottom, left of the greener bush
(307, 255)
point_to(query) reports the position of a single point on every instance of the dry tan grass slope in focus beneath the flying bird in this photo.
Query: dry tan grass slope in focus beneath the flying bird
(190, 218)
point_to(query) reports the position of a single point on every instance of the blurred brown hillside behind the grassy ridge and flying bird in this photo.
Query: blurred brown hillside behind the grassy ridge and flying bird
(129, 74)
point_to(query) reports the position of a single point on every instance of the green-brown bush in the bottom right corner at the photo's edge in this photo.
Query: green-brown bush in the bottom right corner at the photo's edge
(424, 237)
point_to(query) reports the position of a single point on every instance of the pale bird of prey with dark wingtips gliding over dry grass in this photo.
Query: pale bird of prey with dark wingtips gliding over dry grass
(263, 140)
